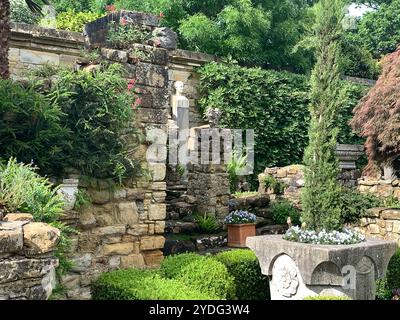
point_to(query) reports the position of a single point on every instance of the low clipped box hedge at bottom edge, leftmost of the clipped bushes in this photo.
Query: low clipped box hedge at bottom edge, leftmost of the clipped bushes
(134, 284)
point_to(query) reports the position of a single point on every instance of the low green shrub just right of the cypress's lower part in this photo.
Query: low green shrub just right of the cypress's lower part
(354, 204)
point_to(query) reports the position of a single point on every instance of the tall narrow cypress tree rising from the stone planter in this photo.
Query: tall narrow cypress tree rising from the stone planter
(322, 192)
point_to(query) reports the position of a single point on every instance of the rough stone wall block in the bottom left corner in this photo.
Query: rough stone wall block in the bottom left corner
(27, 262)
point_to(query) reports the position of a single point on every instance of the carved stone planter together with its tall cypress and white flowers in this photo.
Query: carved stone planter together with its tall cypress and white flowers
(322, 257)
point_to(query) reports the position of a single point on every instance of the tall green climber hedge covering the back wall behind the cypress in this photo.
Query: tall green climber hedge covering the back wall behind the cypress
(274, 104)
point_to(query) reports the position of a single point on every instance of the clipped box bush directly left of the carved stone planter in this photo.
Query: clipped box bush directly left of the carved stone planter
(243, 265)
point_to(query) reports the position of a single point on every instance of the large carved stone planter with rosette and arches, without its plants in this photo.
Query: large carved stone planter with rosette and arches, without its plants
(298, 270)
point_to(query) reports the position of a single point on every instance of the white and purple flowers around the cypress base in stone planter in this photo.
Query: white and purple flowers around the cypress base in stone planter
(323, 237)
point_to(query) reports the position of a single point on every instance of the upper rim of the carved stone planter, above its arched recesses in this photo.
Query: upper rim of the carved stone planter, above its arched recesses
(309, 256)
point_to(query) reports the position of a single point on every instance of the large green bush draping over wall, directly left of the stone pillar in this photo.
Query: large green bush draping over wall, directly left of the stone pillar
(98, 113)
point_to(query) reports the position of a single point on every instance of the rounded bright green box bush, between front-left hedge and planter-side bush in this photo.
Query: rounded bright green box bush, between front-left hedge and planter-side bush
(208, 276)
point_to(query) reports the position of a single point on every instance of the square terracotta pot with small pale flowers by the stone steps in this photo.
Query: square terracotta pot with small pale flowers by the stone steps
(241, 224)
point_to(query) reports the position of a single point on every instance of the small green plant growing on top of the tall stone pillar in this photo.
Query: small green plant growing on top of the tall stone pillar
(122, 36)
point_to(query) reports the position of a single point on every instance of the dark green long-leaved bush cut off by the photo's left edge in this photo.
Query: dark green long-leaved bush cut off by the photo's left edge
(30, 127)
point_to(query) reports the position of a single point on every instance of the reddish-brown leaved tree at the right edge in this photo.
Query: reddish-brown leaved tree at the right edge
(377, 118)
